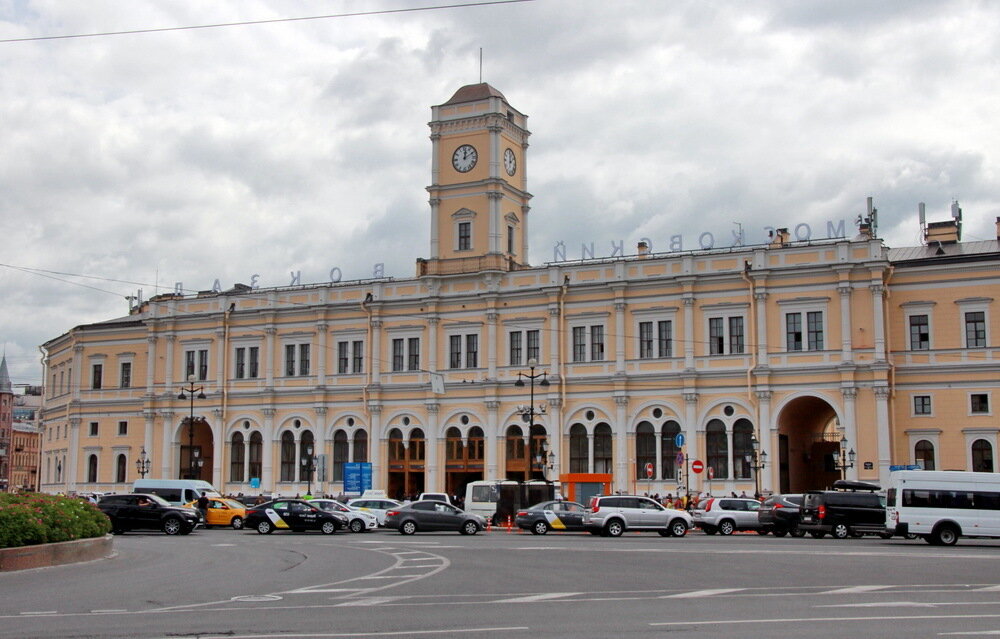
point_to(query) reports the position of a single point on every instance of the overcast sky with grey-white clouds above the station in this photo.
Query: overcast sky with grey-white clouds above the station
(219, 153)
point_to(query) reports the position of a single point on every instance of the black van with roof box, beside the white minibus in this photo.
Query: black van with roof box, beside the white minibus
(853, 508)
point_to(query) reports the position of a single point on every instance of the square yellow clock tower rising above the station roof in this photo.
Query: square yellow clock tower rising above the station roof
(478, 196)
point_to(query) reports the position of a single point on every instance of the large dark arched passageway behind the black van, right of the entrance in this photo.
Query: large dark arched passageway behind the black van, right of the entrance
(808, 444)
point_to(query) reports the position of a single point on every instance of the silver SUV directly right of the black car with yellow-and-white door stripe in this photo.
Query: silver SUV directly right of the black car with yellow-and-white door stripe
(612, 515)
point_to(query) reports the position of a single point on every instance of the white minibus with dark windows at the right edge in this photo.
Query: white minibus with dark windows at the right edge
(942, 506)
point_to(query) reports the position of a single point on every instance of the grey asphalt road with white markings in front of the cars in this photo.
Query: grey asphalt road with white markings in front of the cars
(232, 584)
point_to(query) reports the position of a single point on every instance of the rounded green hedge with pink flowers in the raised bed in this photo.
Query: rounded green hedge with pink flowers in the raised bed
(27, 519)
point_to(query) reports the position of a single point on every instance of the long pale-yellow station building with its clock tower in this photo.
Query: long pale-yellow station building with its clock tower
(788, 353)
